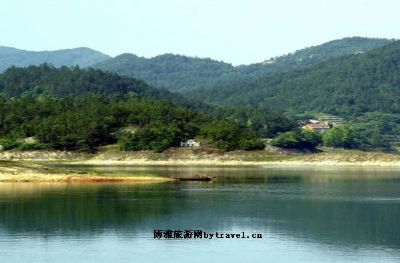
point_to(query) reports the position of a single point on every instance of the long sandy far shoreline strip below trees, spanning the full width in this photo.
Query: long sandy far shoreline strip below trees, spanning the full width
(276, 157)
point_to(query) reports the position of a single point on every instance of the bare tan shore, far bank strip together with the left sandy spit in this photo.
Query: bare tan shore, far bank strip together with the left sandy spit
(39, 170)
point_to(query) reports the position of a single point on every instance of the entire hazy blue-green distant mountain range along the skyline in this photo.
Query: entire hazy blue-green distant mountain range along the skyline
(182, 73)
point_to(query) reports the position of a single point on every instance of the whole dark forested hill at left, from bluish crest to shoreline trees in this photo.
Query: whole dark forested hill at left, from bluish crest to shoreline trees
(74, 109)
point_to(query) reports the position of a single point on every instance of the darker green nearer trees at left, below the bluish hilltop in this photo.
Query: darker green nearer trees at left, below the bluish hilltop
(88, 121)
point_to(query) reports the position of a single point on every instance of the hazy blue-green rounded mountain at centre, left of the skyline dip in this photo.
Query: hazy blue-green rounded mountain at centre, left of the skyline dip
(173, 72)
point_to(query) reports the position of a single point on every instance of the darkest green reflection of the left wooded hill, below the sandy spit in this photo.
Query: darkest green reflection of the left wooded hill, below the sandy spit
(52, 209)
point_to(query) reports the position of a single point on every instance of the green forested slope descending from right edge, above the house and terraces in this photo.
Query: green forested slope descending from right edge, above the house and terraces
(350, 85)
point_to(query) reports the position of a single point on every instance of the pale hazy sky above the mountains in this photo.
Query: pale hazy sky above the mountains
(235, 31)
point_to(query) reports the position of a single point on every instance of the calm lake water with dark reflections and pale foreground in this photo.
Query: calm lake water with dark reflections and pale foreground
(304, 215)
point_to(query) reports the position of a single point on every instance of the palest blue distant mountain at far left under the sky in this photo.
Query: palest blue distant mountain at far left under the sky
(82, 57)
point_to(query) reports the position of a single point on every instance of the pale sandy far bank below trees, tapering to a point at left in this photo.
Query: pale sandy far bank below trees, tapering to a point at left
(327, 157)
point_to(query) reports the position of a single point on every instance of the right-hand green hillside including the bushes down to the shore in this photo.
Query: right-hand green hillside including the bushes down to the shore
(361, 88)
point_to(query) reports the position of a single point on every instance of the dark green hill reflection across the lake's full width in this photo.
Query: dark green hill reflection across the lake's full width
(320, 207)
